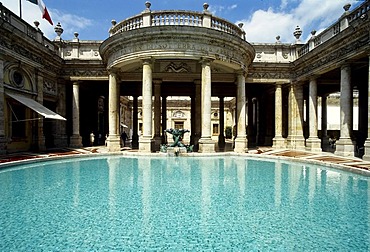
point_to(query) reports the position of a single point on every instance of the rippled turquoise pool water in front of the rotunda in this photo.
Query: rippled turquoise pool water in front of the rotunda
(182, 204)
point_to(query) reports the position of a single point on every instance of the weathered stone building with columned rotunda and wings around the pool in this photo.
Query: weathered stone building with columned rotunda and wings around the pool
(186, 69)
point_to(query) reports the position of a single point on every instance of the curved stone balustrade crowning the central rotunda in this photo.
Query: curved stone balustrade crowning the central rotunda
(177, 18)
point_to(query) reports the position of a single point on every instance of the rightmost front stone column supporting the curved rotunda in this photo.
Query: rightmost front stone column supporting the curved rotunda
(241, 136)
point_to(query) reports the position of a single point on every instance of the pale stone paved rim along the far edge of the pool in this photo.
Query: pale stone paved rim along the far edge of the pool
(351, 164)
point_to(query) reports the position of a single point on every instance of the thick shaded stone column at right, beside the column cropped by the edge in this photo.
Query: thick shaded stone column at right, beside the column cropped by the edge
(345, 146)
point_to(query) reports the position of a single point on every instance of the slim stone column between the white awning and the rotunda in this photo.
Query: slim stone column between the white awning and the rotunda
(76, 140)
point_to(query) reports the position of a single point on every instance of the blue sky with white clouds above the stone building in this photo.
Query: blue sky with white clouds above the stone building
(263, 19)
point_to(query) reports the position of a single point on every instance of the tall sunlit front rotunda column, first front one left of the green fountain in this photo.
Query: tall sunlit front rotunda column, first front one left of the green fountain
(145, 142)
